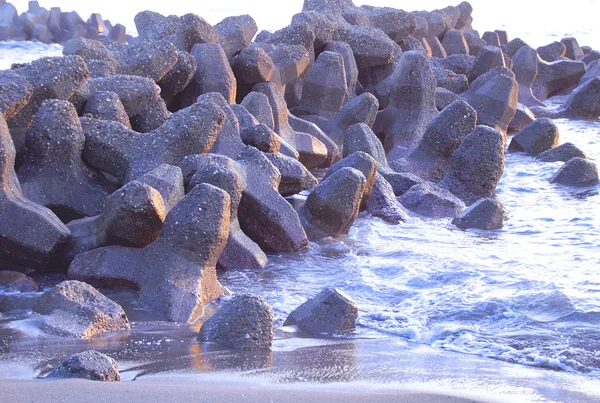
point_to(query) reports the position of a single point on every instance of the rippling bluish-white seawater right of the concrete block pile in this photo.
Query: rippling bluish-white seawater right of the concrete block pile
(529, 293)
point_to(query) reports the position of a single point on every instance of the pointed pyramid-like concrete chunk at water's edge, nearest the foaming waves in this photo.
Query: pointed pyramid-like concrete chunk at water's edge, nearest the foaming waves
(329, 312)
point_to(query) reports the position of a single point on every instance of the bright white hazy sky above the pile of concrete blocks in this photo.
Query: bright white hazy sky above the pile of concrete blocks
(523, 19)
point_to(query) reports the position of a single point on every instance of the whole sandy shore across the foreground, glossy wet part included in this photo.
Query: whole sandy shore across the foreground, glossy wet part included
(359, 371)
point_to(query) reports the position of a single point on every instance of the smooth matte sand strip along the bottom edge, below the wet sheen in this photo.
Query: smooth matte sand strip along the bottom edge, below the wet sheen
(187, 390)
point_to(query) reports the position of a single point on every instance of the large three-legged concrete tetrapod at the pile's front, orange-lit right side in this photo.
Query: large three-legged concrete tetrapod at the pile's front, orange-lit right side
(175, 274)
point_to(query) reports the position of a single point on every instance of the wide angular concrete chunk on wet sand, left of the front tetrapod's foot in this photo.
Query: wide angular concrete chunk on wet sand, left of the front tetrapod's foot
(75, 309)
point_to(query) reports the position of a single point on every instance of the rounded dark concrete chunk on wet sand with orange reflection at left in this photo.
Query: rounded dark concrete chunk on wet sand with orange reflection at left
(243, 323)
